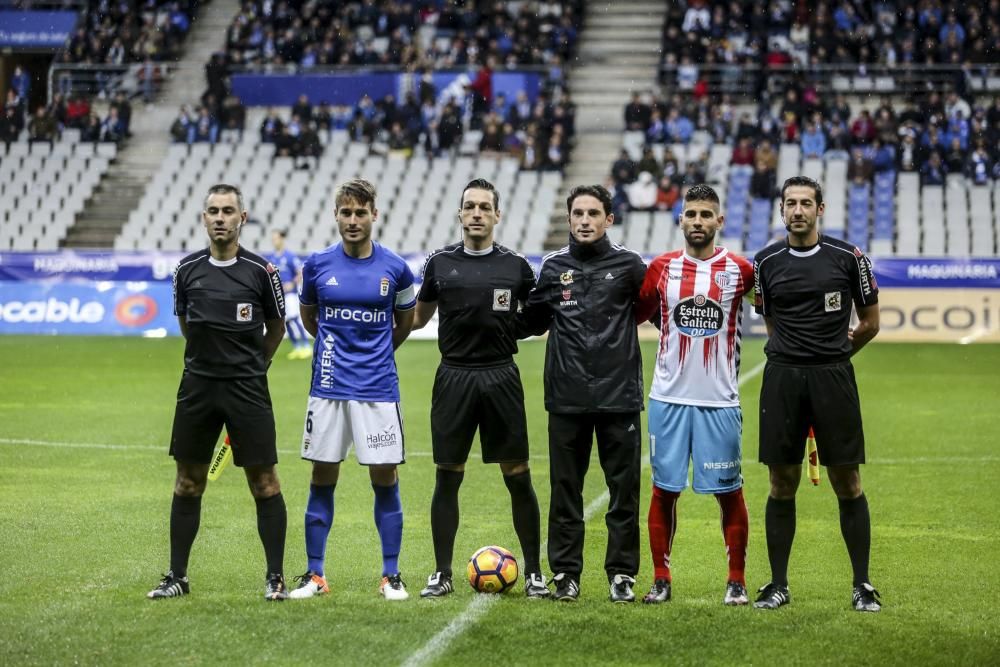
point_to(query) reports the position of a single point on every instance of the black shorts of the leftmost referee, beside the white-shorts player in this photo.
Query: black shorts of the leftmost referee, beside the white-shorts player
(242, 405)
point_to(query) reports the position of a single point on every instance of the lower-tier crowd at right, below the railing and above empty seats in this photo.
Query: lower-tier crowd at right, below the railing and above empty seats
(933, 135)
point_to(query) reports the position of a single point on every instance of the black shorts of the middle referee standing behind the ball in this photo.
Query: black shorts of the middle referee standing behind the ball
(488, 398)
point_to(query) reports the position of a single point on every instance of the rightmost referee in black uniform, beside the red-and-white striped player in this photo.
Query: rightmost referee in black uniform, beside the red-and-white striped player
(805, 287)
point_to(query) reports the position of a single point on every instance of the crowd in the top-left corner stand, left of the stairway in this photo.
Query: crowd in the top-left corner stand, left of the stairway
(119, 33)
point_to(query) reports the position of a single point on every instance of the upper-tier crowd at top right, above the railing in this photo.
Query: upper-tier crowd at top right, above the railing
(837, 32)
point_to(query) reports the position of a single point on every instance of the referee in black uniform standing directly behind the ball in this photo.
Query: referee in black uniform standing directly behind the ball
(477, 286)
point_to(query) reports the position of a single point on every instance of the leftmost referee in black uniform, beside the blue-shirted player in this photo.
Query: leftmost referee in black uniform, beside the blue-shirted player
(231, 310)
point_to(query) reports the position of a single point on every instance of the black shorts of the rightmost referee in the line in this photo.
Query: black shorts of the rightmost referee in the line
(793, 398)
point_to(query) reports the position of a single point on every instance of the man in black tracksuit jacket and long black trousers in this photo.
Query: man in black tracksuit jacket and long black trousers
(585, 298)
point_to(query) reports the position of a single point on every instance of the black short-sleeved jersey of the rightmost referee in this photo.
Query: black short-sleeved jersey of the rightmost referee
(808, 296)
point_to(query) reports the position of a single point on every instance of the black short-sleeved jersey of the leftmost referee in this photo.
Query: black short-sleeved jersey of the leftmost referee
(225, 305)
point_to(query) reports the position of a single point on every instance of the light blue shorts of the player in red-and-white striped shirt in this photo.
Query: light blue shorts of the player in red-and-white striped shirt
(711, 437)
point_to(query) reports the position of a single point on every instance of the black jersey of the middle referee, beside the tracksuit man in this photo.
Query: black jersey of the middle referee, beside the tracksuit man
(477, 298)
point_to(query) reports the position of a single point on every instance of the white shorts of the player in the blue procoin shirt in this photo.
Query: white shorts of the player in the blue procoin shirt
(375, 429)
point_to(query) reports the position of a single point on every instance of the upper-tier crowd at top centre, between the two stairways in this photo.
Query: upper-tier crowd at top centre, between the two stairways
(434, 34)
